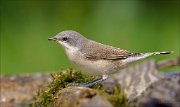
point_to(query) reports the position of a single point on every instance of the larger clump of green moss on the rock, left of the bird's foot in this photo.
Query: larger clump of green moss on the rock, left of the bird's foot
(60, 80)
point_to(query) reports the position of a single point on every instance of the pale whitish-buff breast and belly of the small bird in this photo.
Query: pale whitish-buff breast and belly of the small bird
(97, 67)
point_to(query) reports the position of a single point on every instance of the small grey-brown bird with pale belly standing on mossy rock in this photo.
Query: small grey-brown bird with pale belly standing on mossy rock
(95, 58)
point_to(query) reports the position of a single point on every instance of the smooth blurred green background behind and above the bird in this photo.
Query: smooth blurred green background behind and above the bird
(139, 26)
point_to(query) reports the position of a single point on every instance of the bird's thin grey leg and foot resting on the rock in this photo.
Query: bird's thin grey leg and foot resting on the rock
(88, 84)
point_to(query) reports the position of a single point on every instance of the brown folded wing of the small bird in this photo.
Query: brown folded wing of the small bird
(96, 51)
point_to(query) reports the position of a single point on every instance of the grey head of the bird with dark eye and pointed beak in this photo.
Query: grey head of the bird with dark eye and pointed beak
(69, 38)
